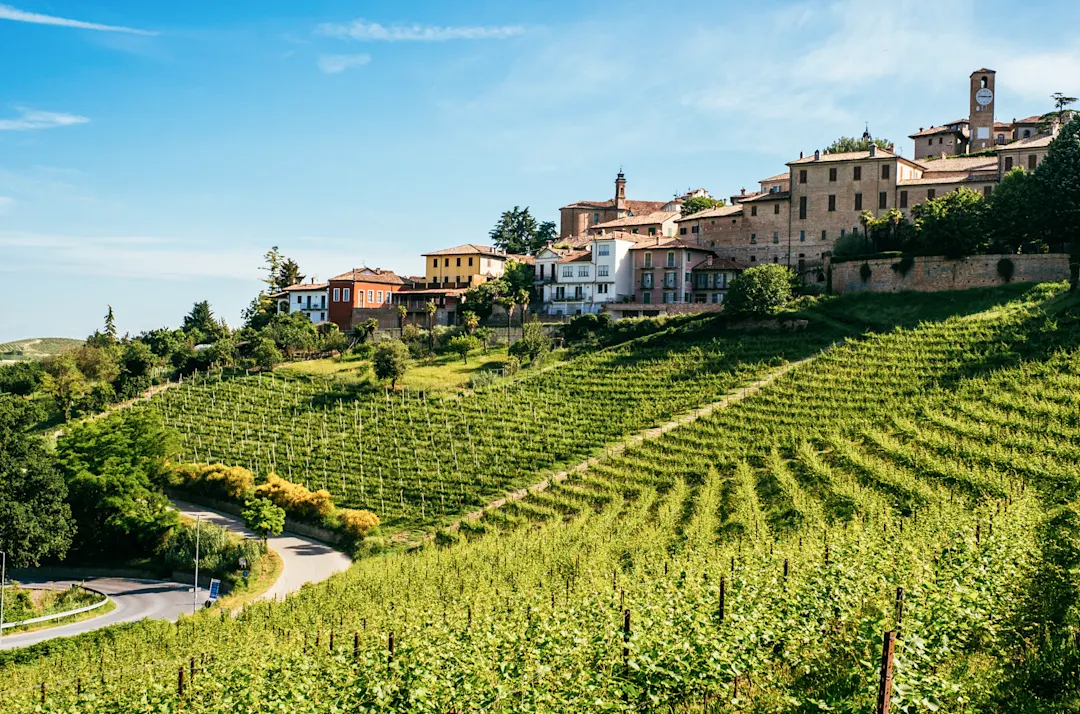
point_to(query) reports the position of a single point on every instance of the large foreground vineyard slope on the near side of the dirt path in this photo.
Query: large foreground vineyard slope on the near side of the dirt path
(752, 557)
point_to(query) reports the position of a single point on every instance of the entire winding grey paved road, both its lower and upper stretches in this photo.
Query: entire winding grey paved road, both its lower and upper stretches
(304, 561)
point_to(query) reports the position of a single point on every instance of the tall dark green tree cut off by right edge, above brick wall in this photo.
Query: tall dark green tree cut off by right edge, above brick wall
(1058, 183)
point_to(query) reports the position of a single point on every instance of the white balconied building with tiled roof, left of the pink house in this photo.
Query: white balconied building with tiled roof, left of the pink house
(582, 276)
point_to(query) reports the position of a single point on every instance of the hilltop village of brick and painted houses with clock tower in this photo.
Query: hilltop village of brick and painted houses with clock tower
(632, 258)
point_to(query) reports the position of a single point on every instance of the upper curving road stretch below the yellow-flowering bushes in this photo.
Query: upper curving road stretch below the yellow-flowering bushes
(304, 560)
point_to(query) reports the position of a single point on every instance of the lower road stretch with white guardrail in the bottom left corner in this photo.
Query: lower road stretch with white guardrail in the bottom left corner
(134, 601)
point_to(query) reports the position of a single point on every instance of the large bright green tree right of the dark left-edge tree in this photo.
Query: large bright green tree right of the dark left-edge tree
(112, 468)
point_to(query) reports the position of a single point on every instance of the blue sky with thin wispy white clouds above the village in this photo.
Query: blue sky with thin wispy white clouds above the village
(152, 153)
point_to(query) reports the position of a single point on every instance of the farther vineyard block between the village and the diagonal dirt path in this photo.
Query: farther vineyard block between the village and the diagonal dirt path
(413, 459)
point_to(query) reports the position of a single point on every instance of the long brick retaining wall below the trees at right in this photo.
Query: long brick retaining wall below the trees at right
(933, 274)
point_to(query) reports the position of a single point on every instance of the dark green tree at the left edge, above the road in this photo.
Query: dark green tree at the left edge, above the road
(35, 520)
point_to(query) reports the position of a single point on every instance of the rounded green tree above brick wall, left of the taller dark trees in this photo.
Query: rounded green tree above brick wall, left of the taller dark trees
(952, 225)
